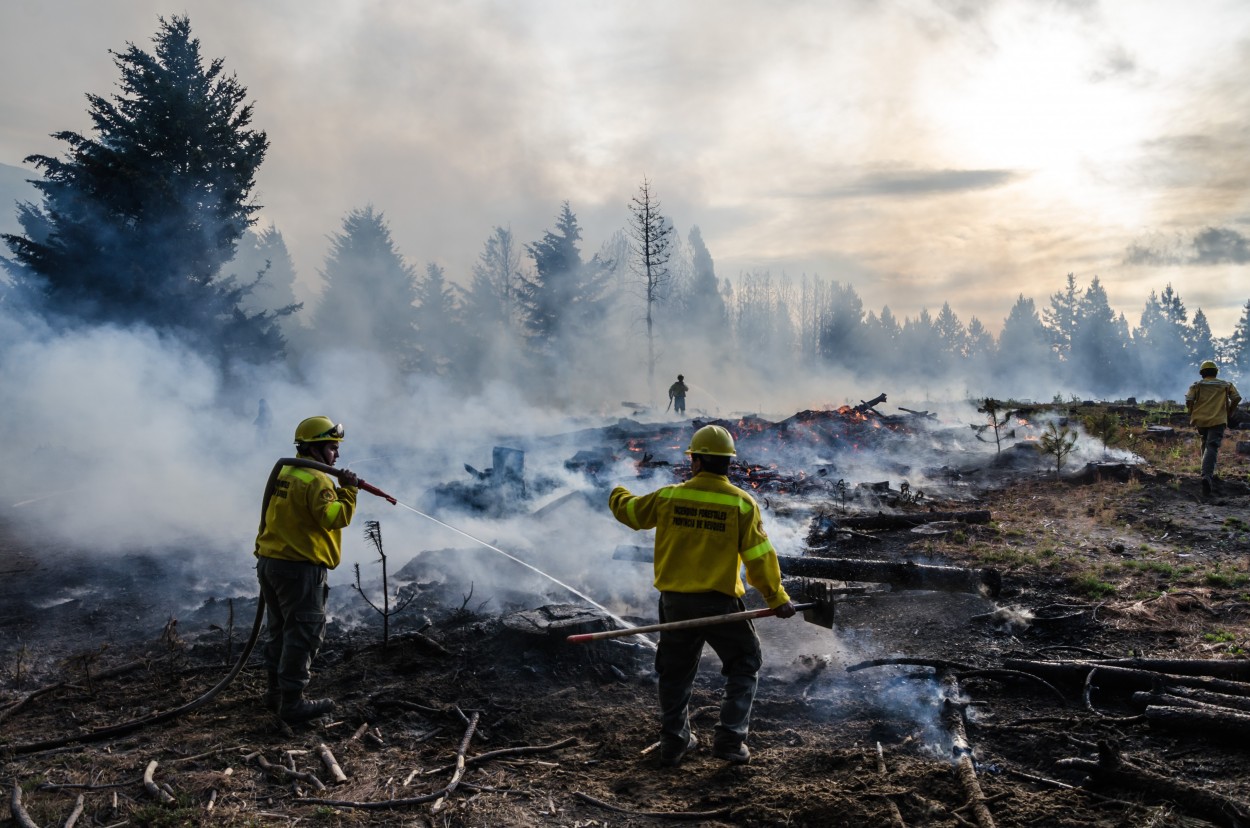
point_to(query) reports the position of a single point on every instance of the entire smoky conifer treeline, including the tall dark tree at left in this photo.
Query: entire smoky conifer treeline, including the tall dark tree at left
(149, 221)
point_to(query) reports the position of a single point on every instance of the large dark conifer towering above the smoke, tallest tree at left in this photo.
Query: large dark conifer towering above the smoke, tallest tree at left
(139, 218)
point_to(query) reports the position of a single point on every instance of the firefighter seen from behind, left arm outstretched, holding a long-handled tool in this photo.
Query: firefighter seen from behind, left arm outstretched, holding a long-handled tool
(706, 531)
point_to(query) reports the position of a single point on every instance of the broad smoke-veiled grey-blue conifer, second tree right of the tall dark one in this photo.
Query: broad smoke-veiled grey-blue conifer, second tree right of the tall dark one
(369, 298)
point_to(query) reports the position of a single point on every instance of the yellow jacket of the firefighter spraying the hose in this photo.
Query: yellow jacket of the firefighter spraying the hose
(306, 518)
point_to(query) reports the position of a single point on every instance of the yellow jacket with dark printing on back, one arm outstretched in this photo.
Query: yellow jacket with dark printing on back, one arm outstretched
(706, 531)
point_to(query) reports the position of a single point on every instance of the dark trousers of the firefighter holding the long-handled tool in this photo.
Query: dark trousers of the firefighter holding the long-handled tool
(677, 662)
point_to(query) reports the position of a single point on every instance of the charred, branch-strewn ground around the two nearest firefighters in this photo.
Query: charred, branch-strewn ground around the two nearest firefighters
(1143, 567)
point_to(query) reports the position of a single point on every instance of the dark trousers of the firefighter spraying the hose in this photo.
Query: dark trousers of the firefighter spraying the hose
(296, 596)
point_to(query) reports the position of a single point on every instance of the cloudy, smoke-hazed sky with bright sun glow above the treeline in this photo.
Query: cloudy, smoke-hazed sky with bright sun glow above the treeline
(922, 151)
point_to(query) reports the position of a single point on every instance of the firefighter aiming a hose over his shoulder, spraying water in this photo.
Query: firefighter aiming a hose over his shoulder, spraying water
(299, 542)
